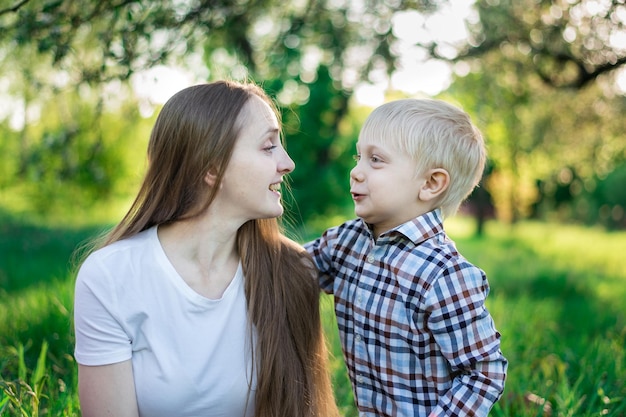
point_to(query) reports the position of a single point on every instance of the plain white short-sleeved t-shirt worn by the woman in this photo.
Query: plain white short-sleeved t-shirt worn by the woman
(190, 354)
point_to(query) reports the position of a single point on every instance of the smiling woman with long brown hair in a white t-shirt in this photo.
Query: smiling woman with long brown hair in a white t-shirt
(195, 304)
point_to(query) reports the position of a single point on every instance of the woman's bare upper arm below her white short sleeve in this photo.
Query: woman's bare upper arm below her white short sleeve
(107, 390)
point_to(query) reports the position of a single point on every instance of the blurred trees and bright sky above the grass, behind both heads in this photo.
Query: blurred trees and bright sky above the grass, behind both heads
(81, 83)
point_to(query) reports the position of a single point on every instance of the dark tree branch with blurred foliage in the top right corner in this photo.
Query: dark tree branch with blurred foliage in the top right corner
(568, 43)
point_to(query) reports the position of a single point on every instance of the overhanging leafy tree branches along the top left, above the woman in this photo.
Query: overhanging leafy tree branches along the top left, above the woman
(266, 36)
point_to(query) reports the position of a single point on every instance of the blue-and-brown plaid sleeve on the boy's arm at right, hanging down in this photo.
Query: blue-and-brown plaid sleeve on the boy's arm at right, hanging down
(464, 331)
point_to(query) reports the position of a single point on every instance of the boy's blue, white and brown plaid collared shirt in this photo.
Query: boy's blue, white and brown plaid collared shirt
(416, 336)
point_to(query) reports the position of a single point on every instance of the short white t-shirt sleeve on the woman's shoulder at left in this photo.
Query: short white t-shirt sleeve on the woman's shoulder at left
(100, 337)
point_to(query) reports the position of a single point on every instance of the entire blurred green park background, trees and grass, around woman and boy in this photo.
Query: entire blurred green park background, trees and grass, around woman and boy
(81, 83)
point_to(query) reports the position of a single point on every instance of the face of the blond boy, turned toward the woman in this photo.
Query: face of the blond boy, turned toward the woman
(385, 187)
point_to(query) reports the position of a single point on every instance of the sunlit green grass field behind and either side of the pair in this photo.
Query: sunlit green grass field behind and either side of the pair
(558, 296)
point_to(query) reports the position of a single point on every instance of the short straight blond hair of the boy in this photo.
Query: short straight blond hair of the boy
(435, 134)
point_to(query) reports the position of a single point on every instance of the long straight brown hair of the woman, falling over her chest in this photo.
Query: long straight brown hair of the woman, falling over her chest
(196, 131)
